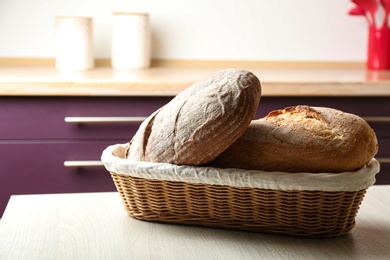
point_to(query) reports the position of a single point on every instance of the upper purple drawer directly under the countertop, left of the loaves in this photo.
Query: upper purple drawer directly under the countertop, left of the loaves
(42, 118)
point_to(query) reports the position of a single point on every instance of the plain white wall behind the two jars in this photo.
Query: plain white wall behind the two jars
(285, 30)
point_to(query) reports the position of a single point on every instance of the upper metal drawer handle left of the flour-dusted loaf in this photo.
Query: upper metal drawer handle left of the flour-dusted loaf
(100, 119)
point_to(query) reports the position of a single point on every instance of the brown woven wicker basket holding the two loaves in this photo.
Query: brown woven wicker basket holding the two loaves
(310, 213)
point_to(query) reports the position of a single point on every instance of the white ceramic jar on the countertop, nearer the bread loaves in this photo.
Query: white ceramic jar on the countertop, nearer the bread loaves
(131, 43)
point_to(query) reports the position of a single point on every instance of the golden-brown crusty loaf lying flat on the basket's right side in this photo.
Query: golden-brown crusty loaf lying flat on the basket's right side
(303, 139)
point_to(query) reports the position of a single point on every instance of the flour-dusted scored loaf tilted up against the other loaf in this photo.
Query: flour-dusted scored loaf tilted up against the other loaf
(200, 122)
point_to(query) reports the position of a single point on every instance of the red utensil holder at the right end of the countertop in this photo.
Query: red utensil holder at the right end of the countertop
(378, 57)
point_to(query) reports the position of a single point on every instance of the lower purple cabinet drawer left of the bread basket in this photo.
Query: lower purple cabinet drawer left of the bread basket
(33, 167)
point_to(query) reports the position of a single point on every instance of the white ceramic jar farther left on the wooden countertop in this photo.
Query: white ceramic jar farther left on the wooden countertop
(74, 43)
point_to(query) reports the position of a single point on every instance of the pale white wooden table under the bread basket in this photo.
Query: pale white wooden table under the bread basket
(95, 226)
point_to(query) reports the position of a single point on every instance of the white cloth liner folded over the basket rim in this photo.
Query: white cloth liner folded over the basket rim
(345, 181)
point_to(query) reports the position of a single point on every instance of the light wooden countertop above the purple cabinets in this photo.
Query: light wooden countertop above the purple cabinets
(168, 81)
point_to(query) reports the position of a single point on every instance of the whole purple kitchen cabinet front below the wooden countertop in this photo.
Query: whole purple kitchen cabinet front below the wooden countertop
(35, 140)
